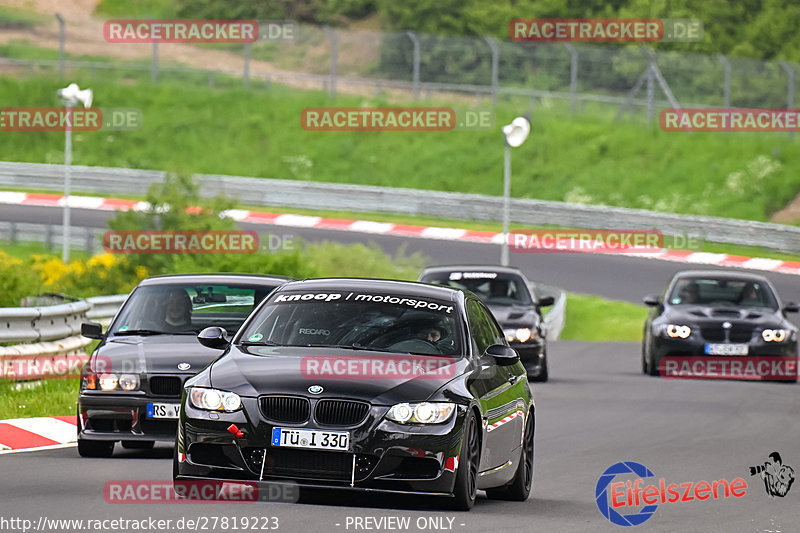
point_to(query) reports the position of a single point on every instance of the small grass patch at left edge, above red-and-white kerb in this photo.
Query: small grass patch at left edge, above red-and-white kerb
(47, 397)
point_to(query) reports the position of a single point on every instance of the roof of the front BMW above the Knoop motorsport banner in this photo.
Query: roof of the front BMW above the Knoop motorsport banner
(382, 285)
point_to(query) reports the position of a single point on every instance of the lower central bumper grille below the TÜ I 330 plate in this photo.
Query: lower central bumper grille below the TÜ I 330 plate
(309, 464)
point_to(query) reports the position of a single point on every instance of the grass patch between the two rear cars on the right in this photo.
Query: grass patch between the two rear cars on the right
(596, 319)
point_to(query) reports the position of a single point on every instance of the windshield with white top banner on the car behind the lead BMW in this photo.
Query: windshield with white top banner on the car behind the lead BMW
(492, 287)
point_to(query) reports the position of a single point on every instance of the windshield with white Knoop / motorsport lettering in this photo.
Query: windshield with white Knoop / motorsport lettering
(392, 323)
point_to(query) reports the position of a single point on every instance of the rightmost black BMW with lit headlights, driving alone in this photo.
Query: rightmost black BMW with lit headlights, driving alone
(717, 313)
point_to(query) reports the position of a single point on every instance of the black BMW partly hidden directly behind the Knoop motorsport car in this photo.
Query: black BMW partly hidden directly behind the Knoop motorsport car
(508, 294)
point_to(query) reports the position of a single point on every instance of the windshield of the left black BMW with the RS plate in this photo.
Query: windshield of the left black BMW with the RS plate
(187, 308)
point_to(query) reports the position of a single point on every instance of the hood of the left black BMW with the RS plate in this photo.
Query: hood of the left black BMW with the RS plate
(154, 354)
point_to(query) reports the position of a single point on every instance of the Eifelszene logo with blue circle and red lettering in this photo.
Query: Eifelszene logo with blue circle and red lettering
(615, 498)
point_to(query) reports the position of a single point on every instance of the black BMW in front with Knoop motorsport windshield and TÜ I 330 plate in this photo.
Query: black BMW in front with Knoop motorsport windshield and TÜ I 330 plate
(337, 383)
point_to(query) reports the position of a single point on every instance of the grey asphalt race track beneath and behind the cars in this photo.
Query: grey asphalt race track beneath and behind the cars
(596, 410)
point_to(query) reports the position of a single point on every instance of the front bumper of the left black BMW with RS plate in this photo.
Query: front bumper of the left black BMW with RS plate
(117, 416)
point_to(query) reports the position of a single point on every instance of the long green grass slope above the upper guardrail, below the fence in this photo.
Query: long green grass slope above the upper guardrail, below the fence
(588, 158)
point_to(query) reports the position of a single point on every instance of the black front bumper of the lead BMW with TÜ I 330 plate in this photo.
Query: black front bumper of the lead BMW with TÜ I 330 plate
(383, 455)
